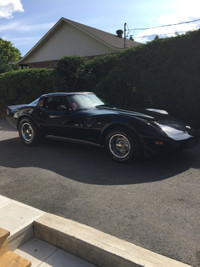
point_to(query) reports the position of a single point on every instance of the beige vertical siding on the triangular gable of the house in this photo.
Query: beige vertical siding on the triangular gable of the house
(69, 41)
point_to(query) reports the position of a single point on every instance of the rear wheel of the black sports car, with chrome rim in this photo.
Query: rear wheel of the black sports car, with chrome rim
(29, 132)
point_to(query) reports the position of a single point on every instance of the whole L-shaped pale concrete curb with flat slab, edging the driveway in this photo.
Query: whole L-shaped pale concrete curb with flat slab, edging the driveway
(25, 222)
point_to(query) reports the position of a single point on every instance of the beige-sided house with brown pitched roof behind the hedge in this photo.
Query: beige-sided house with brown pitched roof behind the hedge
(68, 38)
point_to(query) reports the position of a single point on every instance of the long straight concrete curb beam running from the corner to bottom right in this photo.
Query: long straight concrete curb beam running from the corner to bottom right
(95, 246)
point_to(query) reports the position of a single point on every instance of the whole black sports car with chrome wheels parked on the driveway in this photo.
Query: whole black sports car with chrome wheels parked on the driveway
(84, 116)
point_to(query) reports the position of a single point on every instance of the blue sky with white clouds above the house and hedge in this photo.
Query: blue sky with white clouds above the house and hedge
(24, 22)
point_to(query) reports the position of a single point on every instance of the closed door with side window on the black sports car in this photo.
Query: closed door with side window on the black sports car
(57, 117)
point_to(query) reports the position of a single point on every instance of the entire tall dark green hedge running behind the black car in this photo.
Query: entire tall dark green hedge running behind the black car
(161, 74)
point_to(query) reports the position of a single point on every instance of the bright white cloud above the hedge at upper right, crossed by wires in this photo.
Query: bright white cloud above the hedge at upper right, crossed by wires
(187, 11)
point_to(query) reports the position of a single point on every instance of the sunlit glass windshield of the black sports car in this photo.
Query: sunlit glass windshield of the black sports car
(82, 101)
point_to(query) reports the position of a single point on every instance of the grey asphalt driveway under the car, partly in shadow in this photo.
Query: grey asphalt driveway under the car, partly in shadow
(153, 203)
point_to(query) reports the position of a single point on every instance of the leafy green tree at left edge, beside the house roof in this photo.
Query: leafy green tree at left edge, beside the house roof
(8, 55)
